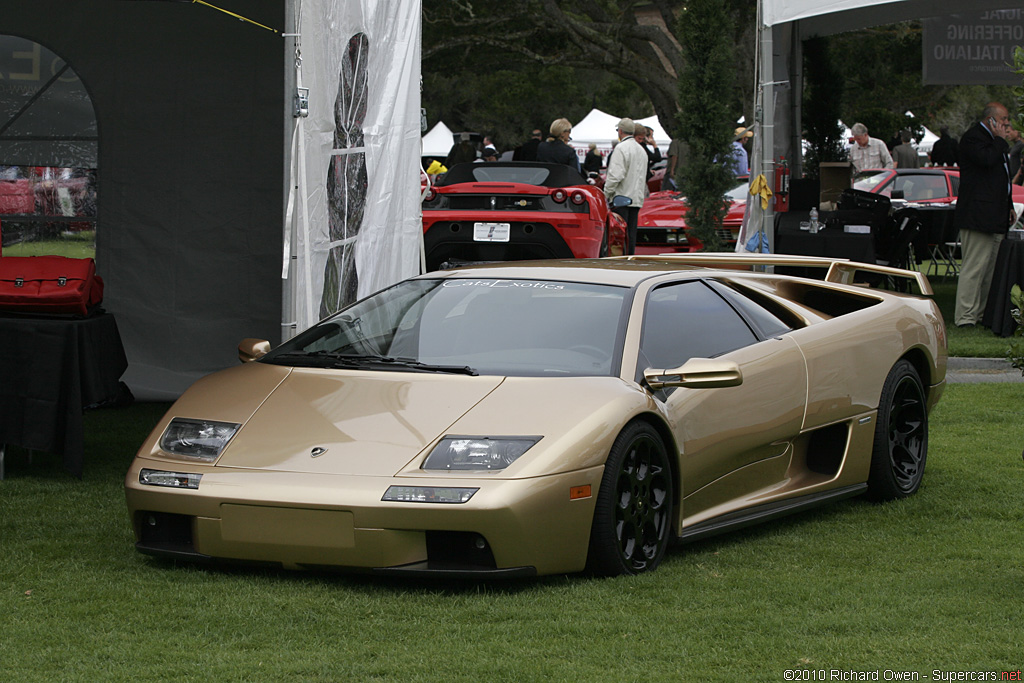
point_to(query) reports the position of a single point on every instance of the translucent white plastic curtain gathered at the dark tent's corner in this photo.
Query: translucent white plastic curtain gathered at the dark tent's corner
(354, 218)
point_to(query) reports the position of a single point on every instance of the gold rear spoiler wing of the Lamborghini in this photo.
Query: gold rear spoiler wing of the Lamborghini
(841, 271)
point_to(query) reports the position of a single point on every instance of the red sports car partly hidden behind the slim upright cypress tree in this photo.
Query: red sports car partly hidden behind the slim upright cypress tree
(662, 226)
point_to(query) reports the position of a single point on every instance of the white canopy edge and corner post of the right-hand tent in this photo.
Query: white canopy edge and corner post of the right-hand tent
(784, 25)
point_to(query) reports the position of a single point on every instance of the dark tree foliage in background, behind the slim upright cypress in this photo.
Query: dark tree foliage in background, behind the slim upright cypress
(630, 40)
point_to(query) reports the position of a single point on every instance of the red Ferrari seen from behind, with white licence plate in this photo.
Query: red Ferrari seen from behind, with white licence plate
(514, 211)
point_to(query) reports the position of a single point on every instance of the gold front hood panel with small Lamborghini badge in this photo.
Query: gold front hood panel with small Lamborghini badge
(363, 423)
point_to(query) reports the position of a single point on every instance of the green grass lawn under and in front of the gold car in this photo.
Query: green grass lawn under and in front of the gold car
(928, 583)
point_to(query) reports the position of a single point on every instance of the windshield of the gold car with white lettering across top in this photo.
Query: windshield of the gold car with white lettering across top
(474, 326)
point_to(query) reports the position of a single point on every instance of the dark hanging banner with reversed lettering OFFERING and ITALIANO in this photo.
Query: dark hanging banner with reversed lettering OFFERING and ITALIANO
(972, 49)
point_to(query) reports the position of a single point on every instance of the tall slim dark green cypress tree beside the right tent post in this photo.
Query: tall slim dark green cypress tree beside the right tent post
(705, 117)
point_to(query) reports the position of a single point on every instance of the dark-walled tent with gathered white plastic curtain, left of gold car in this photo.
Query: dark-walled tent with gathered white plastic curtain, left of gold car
(222, 216)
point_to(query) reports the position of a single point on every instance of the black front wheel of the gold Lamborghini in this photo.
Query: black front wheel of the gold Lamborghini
(633, 515)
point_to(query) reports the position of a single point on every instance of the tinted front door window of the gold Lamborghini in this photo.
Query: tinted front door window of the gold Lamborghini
(690, 321)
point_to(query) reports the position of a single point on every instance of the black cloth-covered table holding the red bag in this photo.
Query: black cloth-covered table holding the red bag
(52, 370)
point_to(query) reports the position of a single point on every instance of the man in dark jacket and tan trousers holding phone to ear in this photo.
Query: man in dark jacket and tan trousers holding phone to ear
(985, 211)
